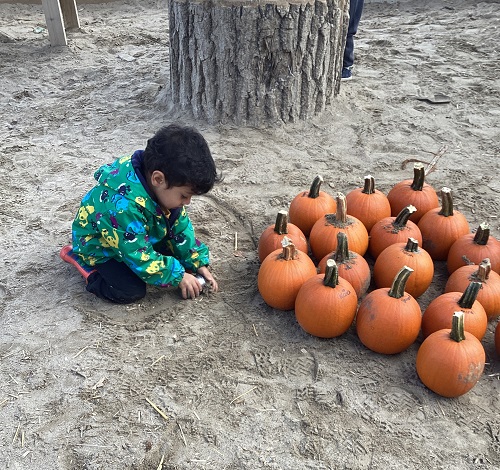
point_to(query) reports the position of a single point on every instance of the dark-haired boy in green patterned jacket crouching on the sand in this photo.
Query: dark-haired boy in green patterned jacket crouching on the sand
(132, 228)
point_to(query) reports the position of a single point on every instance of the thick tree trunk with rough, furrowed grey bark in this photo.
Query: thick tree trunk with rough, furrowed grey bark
(252, 62)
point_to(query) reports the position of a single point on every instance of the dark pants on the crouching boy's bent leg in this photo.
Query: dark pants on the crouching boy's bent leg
(116, 282)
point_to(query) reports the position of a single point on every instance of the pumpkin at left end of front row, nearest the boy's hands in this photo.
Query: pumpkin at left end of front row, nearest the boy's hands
(282, 274)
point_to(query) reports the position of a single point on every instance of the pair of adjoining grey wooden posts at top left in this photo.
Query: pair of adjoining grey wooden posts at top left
(58, 15)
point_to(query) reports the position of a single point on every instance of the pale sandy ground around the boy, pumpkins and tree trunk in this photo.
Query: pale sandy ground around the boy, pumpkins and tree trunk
(241, 385)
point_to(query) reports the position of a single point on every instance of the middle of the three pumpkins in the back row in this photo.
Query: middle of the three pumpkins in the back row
(368, 204)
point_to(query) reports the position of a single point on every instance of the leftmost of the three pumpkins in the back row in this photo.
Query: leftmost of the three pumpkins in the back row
(309, 206)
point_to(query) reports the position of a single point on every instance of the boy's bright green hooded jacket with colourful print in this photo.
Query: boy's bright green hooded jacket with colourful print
(119, 219)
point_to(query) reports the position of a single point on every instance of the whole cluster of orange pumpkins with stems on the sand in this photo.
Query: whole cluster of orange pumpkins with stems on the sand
(404, 232)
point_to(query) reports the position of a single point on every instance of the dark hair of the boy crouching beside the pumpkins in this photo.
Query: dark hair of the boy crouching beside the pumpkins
(181, 153)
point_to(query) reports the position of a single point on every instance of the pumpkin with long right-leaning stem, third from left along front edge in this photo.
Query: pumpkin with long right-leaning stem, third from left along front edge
(389, 319)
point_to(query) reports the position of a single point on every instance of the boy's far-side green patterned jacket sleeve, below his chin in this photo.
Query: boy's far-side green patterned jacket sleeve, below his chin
(184, 245)
